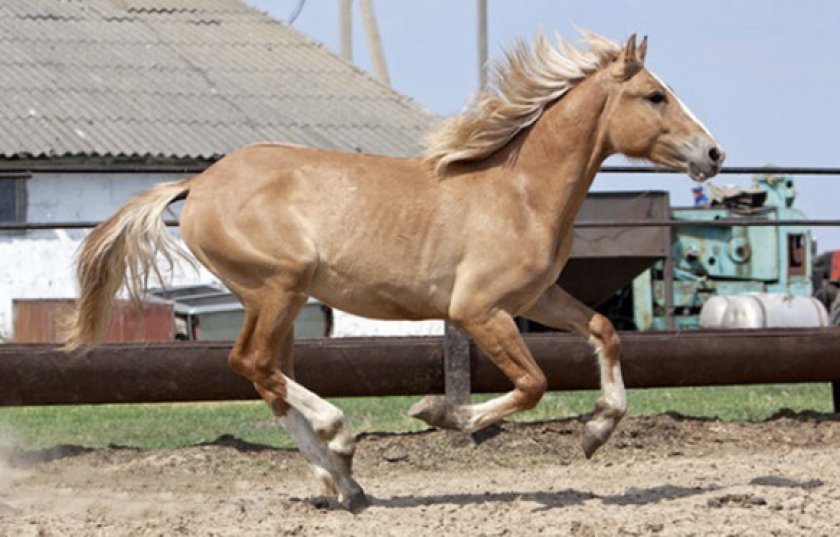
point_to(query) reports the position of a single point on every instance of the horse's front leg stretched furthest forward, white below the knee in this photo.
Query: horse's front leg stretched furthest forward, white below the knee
(558, 309)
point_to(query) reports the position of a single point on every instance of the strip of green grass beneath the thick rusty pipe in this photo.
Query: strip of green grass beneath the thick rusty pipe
(155, 426)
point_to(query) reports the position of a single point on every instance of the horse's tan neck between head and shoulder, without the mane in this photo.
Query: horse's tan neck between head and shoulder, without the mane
(559, 156)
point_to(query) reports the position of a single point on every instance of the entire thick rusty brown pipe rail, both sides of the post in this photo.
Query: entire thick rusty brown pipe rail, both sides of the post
(132, 373)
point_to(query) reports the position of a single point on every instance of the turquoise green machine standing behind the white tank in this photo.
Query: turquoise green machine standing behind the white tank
(706, 261)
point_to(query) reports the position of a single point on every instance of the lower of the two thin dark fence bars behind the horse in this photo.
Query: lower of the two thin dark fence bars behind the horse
(723, 222)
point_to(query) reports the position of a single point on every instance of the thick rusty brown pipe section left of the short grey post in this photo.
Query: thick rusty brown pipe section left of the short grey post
(41, 374)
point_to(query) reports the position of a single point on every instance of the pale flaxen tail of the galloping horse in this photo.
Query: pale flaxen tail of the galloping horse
(122, 251)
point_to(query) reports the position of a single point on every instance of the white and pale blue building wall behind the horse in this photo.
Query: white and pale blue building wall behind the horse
(40, 264)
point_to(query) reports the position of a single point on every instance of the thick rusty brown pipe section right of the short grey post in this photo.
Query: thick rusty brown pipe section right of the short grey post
(686, 358)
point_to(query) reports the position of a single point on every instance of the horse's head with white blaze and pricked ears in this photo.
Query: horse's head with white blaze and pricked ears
(647, 120)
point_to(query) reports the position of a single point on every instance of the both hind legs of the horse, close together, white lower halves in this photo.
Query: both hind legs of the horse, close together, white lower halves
(317, 426)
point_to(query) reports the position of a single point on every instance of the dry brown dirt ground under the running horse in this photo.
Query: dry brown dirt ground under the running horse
(661, 475)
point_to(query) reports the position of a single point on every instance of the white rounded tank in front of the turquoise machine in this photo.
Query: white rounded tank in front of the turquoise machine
(763, 310)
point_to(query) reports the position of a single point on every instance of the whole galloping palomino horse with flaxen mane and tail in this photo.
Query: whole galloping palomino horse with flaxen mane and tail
(476, 232)
